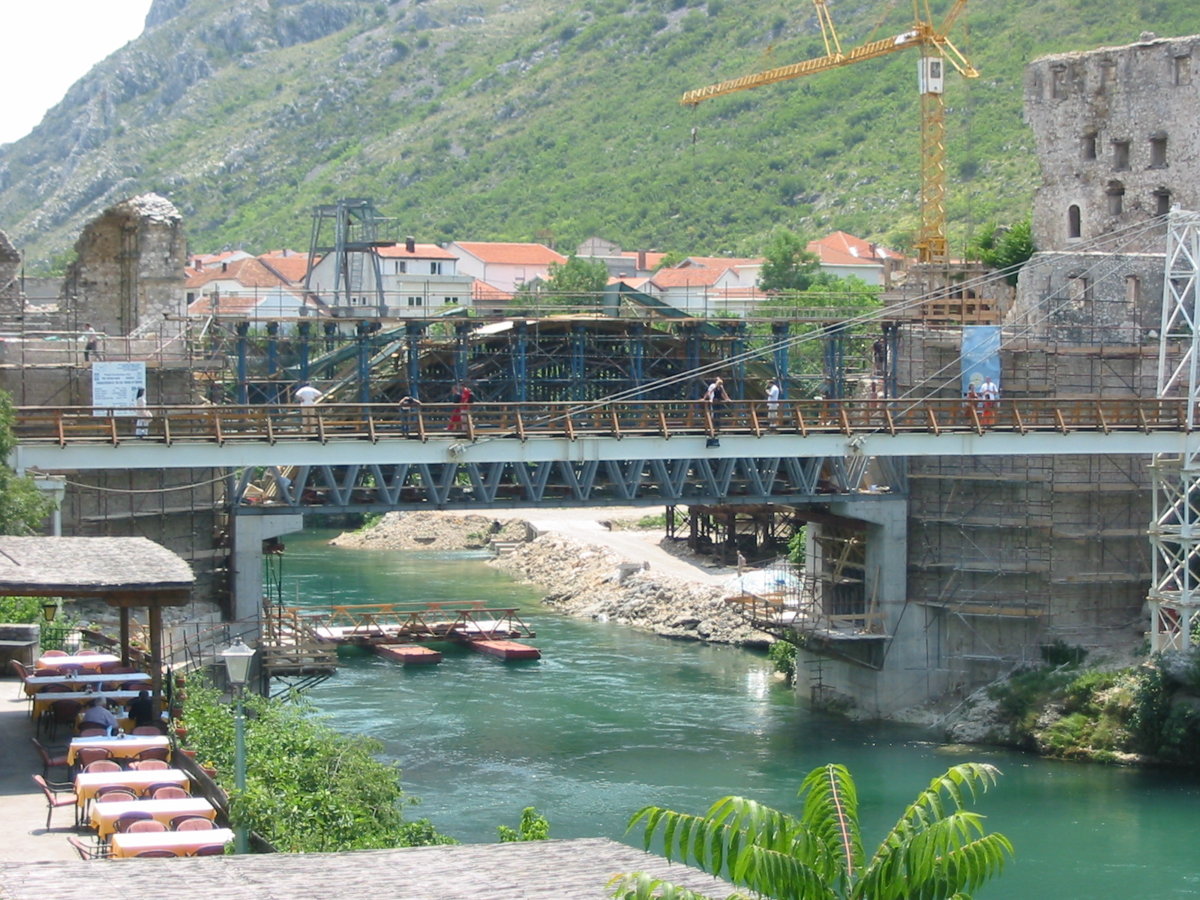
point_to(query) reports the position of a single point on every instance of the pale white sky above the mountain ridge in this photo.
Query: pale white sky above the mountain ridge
(50, 45)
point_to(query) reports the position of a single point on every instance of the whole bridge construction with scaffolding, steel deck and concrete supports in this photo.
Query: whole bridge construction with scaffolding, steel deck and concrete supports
(961, 541)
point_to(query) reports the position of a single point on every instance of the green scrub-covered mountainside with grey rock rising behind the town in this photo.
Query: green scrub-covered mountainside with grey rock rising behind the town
(531, 121)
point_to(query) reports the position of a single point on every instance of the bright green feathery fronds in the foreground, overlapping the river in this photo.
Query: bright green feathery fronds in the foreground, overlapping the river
(937, 851)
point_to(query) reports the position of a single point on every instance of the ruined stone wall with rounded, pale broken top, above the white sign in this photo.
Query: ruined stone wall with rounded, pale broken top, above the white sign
(129, 271)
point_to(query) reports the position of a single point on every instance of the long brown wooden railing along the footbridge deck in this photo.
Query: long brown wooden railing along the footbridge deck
(381, 422)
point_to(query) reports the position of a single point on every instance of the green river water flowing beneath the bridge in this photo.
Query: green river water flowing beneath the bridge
(611, 719)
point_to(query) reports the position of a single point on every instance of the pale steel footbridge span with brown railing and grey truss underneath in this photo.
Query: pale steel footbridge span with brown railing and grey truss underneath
(374, 458)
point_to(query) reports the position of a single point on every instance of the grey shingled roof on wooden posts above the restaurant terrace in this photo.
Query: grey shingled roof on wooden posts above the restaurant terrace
(123, 572)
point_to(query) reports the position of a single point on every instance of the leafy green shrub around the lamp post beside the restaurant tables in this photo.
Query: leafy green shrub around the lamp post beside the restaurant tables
(309, 788)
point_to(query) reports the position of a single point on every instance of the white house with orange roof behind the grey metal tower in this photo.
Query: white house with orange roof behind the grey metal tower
(417, 280)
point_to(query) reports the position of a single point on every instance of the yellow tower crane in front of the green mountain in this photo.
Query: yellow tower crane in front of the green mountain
(935, 49)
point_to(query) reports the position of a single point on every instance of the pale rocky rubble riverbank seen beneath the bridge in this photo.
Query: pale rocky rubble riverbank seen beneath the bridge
(580, 579)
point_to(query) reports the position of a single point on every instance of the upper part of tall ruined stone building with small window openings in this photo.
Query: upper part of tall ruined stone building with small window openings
(1118, 135)
